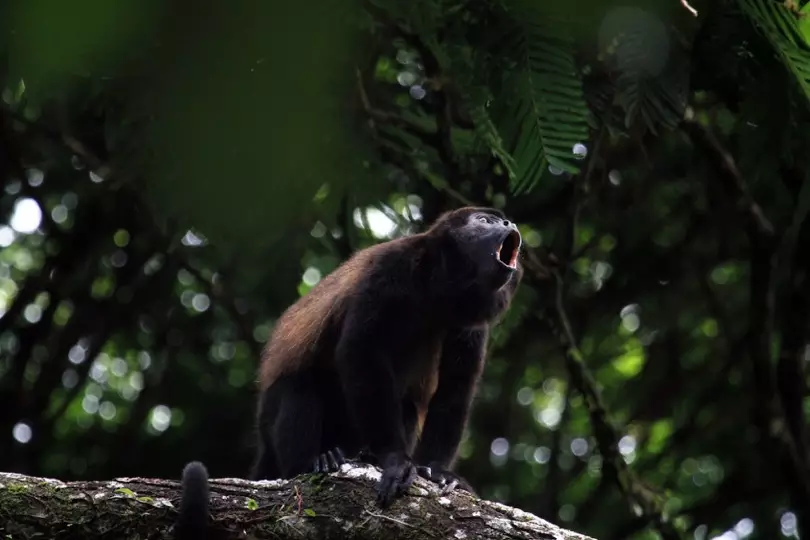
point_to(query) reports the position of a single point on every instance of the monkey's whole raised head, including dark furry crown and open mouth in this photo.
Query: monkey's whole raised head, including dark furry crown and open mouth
(487, 242)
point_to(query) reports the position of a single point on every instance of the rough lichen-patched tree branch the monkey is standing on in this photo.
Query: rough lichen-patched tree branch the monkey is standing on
(340, 506)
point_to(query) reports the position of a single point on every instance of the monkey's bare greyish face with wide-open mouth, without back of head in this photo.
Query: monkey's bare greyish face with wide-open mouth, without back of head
(491, 244)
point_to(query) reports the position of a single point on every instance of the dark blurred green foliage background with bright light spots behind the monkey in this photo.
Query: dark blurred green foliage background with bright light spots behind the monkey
(176, 174)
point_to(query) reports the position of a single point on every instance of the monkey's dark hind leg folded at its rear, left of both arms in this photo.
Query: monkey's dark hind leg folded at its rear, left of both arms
(297, 426)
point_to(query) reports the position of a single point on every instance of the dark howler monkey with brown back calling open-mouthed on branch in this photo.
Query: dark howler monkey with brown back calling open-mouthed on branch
(385, 350)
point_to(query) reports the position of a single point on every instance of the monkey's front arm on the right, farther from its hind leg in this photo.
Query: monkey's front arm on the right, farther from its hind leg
(460, 368)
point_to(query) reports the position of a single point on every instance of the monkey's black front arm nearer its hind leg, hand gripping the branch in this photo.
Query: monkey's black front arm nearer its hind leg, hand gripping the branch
(364, 361)
